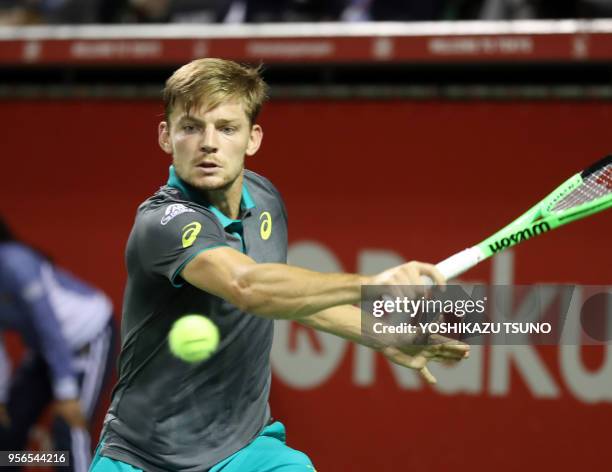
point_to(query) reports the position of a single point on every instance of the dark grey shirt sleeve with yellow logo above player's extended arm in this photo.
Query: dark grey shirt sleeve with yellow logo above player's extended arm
(165, 245)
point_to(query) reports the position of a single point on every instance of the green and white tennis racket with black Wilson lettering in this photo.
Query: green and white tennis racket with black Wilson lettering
(584, 194)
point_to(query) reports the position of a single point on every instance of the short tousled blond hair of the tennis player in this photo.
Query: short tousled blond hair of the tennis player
(212, 81)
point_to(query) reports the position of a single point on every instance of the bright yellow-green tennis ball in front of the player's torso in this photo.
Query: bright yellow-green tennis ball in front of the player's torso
(193, 338)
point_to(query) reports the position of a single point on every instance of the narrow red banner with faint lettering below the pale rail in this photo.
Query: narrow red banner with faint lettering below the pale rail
(562, 45)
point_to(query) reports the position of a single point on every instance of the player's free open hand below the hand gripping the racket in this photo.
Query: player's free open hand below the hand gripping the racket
(439, 349)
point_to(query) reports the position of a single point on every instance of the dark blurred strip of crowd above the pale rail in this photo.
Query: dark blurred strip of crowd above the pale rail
(265, 11)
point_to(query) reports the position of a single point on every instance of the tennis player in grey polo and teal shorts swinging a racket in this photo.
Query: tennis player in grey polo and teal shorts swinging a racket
(213, 241)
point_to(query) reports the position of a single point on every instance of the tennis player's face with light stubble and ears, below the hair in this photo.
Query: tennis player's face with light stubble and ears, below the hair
(208, 145)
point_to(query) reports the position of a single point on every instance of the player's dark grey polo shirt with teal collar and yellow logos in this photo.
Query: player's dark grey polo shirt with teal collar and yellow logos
(165, 414)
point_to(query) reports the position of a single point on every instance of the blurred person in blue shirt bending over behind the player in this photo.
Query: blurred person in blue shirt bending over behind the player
(68, 330)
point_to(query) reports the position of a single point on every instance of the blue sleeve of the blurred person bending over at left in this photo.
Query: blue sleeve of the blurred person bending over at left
(34, 302)
